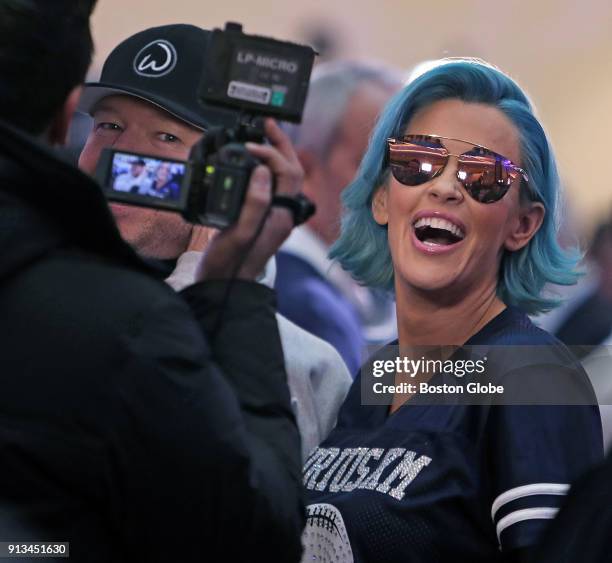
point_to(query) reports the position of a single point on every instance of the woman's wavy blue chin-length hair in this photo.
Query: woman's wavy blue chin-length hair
(363, 248)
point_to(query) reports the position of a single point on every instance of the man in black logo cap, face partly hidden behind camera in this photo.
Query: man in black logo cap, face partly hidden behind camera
(146, 102)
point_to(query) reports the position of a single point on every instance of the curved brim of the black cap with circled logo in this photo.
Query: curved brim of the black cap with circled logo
(93, 92)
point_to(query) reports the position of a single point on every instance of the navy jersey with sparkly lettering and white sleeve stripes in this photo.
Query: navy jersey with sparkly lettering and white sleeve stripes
(446, 482)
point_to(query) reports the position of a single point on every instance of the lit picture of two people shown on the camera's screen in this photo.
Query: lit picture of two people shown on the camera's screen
(147, 176)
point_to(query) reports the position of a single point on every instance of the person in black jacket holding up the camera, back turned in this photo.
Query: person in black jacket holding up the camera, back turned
(135, 423)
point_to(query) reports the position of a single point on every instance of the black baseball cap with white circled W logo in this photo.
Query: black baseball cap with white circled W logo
(161, 65)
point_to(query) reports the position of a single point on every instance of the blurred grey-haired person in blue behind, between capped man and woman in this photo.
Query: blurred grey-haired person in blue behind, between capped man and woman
(344, 100)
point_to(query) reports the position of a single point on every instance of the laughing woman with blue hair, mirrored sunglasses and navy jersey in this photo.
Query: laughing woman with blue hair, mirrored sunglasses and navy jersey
(453, 208)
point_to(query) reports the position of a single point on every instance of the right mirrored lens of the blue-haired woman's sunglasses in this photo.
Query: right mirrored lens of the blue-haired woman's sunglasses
(486, 177)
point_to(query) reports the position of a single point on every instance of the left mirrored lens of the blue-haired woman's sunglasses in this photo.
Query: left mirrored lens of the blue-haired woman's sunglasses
(413, 164)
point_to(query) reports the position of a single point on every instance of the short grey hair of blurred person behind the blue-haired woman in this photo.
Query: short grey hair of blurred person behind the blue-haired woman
(331, 88)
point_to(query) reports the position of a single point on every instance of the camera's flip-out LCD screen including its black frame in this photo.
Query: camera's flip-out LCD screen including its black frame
(146, 180)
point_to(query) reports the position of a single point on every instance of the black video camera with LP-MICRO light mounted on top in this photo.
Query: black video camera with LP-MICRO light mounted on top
(253, 76)
